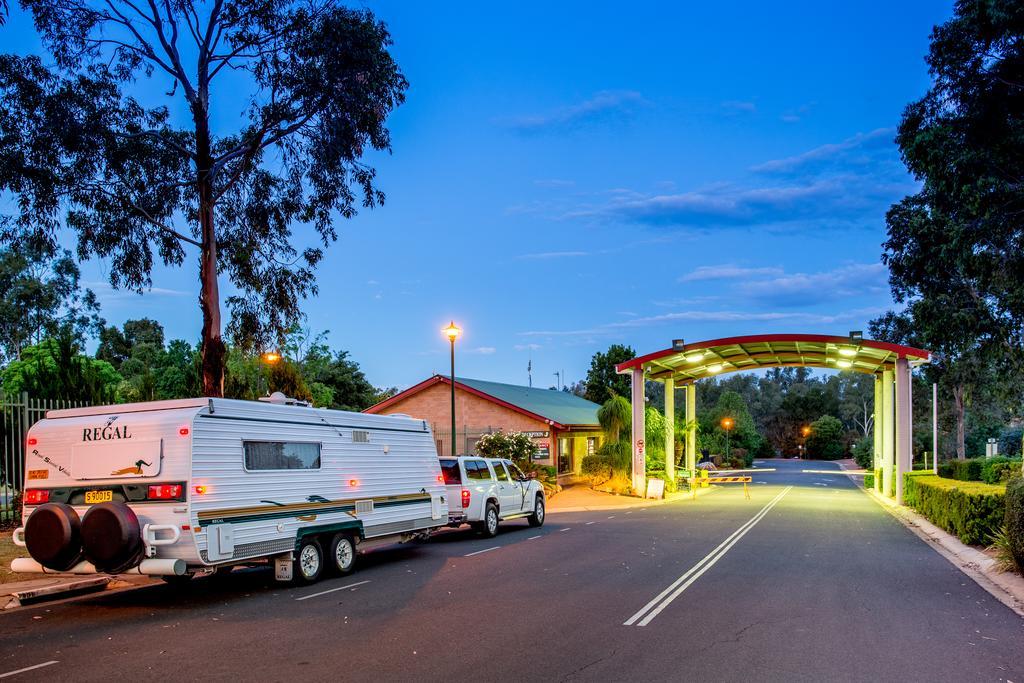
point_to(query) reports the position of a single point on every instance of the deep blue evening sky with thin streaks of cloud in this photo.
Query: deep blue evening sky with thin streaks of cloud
(570, 176)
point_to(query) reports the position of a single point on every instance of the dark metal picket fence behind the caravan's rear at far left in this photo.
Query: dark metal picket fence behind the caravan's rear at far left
(18, 413)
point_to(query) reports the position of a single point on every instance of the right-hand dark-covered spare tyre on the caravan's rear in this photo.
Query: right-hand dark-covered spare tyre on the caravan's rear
(112, 538)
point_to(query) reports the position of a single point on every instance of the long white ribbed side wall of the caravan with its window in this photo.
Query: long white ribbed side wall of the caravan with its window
(380, 476)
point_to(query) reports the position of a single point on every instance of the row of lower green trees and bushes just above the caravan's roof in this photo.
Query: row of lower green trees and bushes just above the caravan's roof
(47, 320)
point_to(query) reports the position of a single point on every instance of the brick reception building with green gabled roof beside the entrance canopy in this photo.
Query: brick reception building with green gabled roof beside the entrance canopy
(564, 425)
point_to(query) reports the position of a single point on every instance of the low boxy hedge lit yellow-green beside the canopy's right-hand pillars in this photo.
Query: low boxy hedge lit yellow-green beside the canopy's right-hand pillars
(972, 510)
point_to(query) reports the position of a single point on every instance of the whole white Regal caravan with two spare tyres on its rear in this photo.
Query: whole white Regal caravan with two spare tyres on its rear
(179, 488)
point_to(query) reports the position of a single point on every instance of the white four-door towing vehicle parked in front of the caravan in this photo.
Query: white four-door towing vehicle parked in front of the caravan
(484, 491)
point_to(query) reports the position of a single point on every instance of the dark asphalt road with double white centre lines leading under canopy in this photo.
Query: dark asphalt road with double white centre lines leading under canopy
(808, 581)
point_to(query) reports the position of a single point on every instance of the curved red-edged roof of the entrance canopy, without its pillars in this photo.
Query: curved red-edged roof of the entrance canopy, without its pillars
(687, 363)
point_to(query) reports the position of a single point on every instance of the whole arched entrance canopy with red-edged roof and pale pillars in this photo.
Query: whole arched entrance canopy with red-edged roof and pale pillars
(685, 364)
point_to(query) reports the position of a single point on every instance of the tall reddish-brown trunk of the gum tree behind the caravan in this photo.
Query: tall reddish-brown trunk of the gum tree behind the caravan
(209, 298)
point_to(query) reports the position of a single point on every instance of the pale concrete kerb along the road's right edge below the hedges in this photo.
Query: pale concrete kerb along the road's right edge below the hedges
(1008, 588)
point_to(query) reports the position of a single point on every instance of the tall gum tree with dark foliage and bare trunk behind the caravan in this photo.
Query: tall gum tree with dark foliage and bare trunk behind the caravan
(83, 148)
